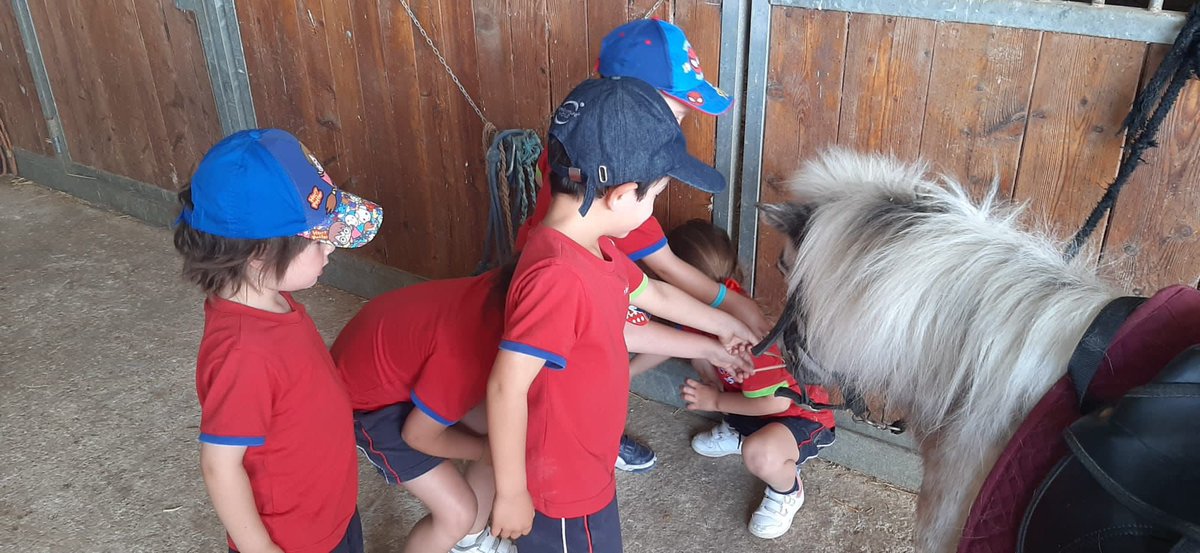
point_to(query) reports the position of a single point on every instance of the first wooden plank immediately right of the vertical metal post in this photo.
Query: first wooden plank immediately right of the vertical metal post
(805, 81)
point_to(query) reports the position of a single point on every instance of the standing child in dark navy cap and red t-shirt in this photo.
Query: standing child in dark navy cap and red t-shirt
(560, 389)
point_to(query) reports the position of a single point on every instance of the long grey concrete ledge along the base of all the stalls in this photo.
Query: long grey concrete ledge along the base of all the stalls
(860, 448)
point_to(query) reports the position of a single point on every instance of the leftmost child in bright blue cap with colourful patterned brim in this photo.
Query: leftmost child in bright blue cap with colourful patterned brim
(259, 223)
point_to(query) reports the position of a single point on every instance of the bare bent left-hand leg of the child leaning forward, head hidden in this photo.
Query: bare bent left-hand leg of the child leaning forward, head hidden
(452, 504)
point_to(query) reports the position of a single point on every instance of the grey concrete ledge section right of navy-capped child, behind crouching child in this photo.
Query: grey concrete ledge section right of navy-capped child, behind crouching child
(861, 448)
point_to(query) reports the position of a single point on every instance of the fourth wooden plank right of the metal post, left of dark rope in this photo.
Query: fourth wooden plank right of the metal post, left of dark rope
(1083, 92)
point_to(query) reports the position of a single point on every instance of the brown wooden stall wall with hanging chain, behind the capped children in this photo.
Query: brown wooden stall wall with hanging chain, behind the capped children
(359, 86)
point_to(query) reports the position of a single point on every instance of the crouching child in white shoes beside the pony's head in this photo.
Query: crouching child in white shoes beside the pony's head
(773, 435)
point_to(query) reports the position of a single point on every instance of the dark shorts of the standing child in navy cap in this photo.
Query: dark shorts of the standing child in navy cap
(597, 533)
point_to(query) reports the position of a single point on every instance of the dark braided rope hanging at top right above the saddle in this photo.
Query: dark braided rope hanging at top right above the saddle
(1150, 109)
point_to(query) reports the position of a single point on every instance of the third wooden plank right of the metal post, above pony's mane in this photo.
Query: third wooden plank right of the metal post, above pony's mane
(980, 95)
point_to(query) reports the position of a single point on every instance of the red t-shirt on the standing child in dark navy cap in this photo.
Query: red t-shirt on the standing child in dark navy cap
(568, 308)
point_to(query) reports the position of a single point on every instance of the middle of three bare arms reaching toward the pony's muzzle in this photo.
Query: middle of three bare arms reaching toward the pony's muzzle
(670, 303)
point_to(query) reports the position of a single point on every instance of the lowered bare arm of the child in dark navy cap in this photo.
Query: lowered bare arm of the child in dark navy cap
(508, 417)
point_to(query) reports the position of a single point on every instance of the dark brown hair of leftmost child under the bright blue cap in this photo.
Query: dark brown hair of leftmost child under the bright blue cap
(220, 265)
